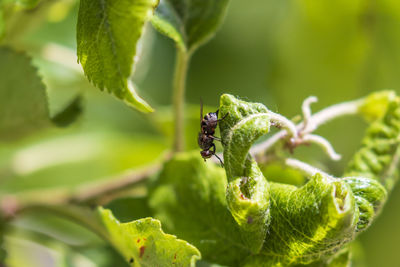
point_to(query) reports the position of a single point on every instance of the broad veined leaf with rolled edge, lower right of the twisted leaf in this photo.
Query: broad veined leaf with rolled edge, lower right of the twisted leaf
(309, 223)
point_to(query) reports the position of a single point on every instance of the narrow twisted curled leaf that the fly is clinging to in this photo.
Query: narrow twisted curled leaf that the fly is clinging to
(248, 191)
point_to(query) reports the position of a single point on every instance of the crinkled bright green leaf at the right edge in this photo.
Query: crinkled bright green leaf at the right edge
(373, 170)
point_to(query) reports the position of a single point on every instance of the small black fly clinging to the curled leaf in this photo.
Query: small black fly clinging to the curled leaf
(206, 137)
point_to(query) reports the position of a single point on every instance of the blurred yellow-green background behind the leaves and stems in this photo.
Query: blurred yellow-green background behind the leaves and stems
(277, 52)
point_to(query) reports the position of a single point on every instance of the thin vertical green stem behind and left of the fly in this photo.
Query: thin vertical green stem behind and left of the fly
(179, 83)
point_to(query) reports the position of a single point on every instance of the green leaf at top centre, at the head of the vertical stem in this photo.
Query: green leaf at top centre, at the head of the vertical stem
(189, 23)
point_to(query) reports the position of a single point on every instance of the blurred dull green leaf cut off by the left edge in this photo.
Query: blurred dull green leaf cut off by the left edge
(23, 98)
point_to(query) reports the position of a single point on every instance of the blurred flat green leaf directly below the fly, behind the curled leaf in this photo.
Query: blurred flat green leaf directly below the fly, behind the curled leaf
(190, 201)
